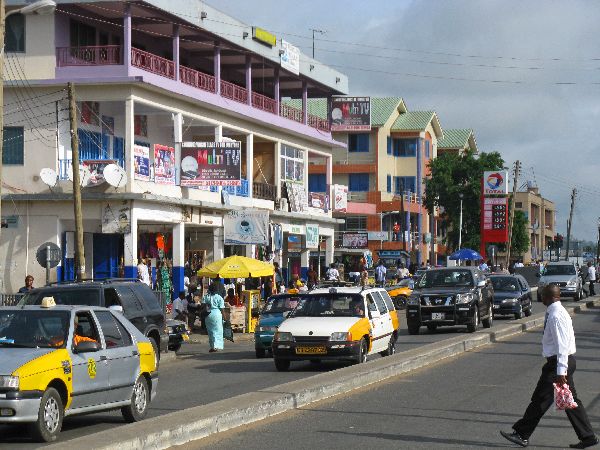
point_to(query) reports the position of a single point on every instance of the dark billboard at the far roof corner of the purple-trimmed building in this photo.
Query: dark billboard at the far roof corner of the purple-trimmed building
(350, 114)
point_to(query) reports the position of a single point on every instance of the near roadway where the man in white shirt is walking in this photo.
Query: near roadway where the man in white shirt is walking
(461, 403)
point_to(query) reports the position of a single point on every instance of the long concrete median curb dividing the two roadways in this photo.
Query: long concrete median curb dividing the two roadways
(176, 428)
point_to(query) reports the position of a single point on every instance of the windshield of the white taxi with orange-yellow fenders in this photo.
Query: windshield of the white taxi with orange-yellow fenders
(330, 305)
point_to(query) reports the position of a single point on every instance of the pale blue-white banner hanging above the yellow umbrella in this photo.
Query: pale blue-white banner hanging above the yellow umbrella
(246, 227)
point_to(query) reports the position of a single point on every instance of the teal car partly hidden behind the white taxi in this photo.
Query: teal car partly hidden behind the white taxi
(276, 309)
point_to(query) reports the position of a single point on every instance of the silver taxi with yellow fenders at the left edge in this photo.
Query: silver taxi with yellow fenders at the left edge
(62, 360)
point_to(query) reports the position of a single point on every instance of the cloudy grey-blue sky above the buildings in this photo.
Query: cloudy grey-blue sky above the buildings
(525, 76)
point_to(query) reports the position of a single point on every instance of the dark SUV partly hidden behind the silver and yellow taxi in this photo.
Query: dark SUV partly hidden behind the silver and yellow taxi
(137, 301)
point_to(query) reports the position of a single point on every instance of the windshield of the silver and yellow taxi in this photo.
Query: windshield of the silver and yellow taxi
(33, 329)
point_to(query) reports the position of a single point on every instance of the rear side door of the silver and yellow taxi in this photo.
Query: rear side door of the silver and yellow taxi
(123, 358)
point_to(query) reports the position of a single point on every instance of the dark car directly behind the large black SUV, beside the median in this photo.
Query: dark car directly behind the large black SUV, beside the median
(512, 295)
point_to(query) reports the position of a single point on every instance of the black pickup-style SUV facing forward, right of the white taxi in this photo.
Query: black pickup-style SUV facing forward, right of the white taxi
(451, 296)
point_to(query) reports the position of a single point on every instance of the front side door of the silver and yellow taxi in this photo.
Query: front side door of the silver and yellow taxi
(90, 370)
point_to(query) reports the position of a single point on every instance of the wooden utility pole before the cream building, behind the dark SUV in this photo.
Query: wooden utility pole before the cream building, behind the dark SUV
(79, 256)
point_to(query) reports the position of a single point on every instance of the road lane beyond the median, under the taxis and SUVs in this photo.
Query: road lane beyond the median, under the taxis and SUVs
(198, 377)
